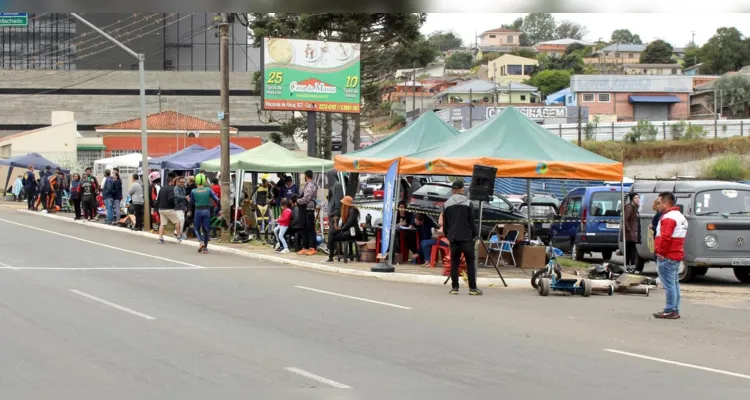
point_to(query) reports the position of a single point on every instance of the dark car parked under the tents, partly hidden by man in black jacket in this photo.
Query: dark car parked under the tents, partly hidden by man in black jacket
(431, 197)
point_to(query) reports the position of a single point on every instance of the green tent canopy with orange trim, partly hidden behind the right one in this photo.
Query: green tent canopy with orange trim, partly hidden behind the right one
(425, 132)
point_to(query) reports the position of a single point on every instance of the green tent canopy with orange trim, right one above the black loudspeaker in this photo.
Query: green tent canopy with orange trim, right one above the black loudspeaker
(518, 147)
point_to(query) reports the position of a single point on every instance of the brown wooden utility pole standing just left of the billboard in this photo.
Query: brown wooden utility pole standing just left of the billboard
(224, 67)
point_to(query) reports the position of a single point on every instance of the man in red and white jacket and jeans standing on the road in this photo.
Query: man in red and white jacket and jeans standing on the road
(669, 248)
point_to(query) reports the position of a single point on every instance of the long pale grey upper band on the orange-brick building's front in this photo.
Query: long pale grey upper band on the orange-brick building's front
(631, 84)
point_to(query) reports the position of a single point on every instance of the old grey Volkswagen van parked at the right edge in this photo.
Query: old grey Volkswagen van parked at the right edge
(718, 215)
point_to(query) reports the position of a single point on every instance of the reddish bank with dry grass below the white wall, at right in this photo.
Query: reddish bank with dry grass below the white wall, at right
(693, 149)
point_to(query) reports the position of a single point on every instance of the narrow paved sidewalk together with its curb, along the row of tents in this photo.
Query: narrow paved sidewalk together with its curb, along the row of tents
(486, 277)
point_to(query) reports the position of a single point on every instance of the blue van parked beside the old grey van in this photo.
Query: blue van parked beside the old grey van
(589, 221)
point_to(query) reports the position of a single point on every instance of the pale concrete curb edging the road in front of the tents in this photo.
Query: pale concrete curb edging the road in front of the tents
(513, 283)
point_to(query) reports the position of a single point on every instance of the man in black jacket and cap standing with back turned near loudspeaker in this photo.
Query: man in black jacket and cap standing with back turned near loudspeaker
(459, 227)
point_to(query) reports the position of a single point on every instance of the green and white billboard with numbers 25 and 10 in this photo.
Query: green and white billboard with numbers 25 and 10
(310, 75)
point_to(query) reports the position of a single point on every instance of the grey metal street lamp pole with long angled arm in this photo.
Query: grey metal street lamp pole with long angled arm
(144, 133)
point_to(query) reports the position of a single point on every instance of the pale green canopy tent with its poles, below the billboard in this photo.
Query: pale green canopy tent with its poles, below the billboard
(267, 158)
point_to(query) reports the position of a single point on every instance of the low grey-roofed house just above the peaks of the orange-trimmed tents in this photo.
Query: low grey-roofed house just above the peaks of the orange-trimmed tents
(481, 91)
